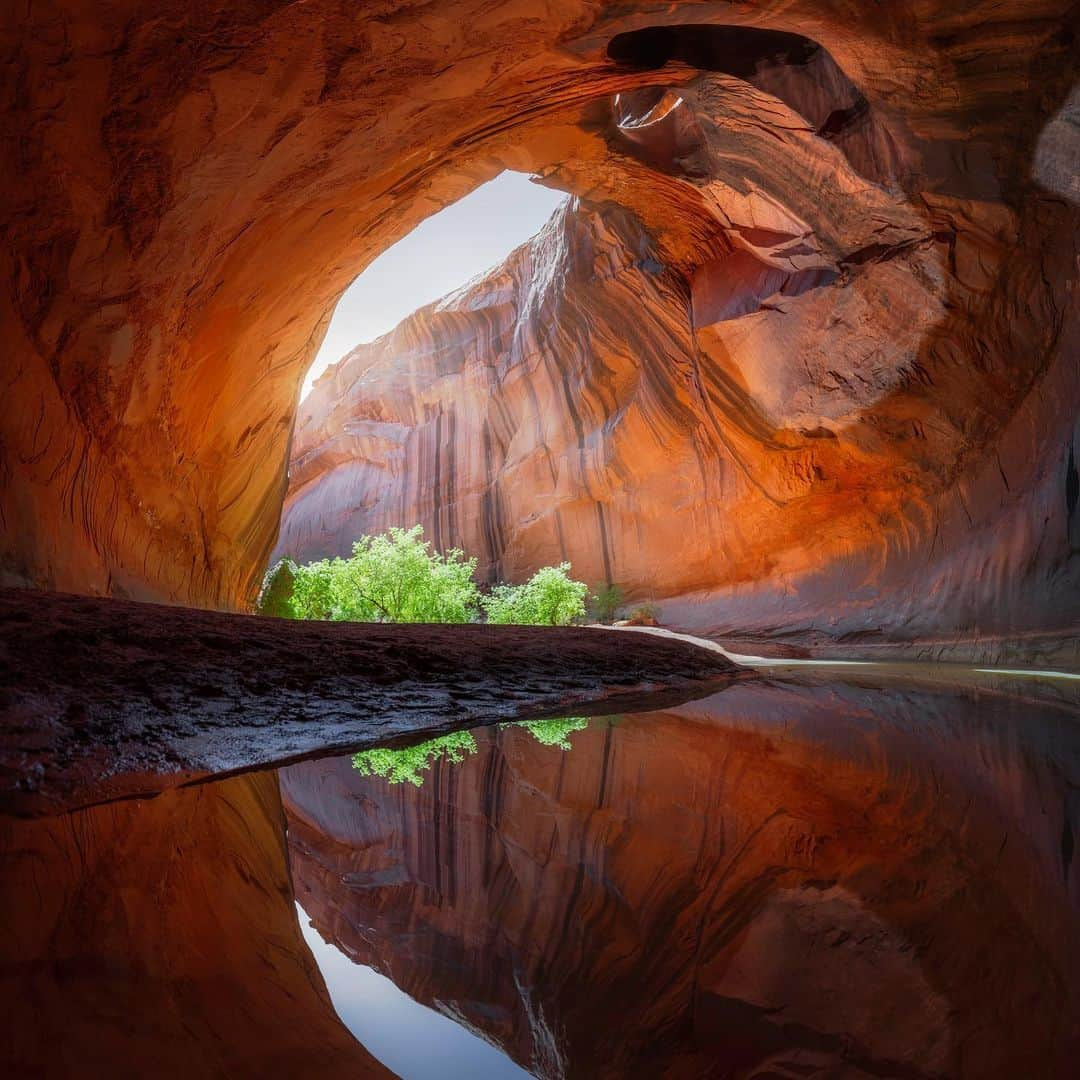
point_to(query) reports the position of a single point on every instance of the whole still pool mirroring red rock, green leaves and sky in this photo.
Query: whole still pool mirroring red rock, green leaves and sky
(826, 875)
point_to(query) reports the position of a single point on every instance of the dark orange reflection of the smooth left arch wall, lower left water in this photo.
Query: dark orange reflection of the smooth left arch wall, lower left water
(161, 939)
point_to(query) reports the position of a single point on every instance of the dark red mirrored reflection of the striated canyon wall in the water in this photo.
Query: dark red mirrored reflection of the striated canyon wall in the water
(782, 881)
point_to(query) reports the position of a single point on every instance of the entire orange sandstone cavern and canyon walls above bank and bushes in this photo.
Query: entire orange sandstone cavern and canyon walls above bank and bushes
(852, 245)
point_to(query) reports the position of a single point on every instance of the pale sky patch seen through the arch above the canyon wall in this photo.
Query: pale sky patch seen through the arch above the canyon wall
(440, 254)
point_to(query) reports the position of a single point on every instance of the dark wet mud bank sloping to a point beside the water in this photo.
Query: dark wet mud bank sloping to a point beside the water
(110, 699)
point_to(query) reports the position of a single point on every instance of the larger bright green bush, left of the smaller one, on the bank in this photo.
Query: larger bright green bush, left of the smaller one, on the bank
(390, 578)
